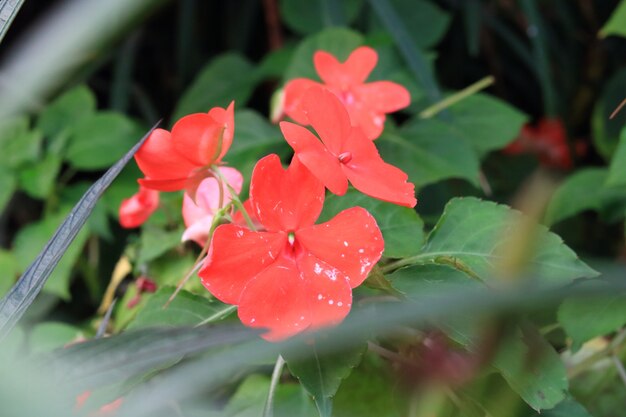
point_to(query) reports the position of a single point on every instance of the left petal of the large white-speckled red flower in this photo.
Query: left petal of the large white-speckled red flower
(236, 256)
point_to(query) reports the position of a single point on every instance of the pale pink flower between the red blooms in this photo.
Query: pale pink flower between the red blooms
(198, 215)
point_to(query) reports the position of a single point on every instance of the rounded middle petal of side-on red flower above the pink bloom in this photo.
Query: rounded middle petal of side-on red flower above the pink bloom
(197, 137)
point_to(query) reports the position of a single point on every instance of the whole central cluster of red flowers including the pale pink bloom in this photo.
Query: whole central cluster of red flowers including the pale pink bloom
(285, 273)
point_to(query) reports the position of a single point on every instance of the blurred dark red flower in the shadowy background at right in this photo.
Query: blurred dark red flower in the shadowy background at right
(548, 140)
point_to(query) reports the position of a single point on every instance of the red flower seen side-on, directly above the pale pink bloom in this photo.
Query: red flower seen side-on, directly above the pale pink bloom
(181, 159)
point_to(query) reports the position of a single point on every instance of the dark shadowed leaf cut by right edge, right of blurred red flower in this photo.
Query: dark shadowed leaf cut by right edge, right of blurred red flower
(606, 132)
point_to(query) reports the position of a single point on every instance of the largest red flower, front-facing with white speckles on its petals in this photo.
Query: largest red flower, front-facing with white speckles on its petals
(295, 275)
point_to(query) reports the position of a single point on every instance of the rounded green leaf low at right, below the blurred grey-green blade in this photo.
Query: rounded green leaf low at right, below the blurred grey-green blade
(533, 369)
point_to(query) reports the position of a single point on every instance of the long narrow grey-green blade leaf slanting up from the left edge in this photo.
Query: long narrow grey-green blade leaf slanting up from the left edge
(15, 303)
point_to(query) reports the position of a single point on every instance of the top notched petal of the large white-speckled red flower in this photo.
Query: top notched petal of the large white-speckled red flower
(285, 199)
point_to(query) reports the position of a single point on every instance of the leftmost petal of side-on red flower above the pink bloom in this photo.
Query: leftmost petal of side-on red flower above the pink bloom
(158, 160)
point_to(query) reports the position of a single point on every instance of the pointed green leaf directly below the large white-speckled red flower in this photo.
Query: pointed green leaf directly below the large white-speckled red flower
(321, 375)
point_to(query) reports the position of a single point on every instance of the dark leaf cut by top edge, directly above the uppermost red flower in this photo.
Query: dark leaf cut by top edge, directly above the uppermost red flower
(306, 17)
